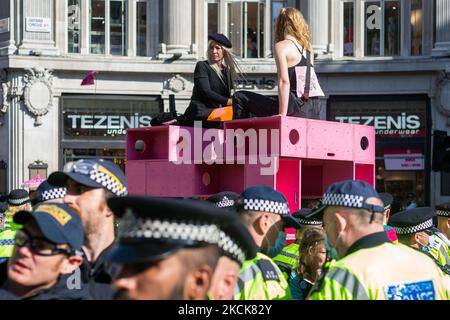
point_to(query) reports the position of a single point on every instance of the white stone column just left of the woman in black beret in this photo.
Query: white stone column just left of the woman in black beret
(177, 24)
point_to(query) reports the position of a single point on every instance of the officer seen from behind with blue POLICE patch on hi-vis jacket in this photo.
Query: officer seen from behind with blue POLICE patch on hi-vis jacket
(370, 267)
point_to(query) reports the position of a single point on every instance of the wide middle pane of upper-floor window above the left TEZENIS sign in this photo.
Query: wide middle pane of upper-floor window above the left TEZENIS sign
(108, 23)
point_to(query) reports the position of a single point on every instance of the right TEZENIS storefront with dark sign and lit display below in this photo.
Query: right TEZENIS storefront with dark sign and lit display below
(402, 125)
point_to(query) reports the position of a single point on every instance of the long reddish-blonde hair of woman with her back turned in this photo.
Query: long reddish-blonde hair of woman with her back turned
(290, 21)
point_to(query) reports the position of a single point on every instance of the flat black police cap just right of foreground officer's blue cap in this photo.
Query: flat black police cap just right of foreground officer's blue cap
(413, 220)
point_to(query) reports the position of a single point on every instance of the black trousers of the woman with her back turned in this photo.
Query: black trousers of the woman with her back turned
(248, 104)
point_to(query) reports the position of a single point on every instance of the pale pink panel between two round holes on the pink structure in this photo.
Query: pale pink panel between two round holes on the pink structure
(329, 140)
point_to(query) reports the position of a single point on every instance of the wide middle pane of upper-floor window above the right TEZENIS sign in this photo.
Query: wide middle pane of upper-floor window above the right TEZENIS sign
(382, 28)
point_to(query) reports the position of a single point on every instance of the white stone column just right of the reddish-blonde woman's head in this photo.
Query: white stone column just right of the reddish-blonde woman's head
(316, 12)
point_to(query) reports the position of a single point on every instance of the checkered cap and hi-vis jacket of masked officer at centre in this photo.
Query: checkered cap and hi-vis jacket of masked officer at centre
(260, 278)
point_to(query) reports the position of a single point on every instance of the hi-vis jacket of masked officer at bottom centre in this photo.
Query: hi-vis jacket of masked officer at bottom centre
(261, 279)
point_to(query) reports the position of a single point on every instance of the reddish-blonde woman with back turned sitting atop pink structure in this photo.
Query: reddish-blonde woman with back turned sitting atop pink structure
(297, 82)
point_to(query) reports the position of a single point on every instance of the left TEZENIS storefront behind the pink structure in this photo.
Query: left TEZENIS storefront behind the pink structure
(94, 126)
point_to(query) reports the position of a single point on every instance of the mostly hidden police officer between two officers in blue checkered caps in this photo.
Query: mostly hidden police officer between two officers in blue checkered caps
(288, 258)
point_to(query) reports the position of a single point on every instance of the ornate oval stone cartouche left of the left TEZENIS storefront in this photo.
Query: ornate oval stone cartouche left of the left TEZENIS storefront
(38, 92)
